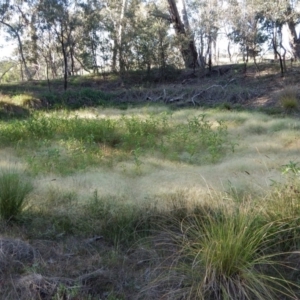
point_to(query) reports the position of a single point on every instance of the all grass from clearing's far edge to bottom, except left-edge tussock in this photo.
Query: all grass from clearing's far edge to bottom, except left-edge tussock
(193, 198)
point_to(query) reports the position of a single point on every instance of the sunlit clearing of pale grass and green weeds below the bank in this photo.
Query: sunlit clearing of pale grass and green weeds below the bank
(93, 141)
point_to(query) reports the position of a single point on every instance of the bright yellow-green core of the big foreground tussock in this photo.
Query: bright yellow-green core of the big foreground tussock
(226, 258)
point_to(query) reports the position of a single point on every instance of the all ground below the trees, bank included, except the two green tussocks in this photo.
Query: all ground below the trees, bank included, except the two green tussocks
(106, 217)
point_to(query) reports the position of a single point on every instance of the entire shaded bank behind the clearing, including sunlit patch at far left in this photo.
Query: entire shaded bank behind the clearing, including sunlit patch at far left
(228, 85)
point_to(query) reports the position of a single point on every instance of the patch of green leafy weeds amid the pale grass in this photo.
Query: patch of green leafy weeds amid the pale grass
(66, 144)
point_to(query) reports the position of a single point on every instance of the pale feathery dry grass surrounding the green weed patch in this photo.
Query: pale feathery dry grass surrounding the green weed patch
(263, 144)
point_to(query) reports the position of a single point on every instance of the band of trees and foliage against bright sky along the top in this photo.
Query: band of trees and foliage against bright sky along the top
(61, 38)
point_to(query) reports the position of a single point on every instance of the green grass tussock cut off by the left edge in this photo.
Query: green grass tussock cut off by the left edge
(13, 192)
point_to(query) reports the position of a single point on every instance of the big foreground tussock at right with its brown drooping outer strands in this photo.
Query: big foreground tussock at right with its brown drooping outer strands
(230, 252)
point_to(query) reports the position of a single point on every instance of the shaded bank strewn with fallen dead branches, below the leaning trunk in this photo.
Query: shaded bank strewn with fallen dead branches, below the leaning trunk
(257, 87)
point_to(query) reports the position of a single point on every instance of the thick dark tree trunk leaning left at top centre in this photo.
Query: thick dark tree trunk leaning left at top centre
(188, 48)
